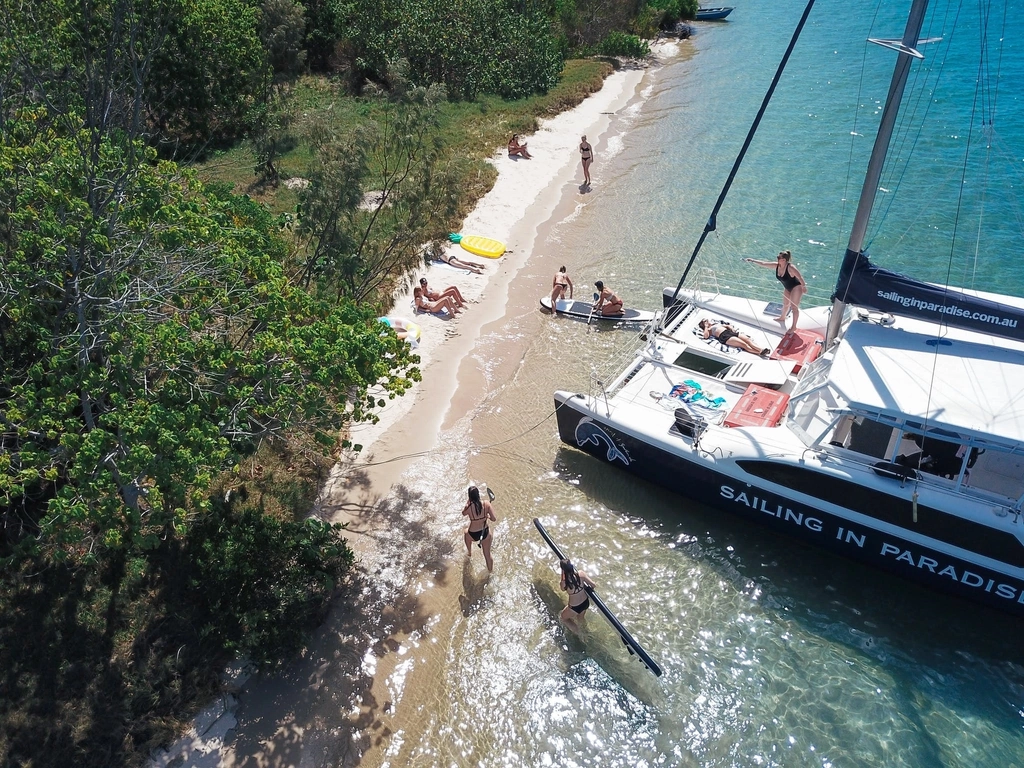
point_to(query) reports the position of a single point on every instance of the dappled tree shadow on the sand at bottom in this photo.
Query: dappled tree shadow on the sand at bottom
(326, 706)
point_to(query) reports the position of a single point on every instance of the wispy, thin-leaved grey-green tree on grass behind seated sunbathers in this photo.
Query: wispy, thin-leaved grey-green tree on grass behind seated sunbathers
(376, 195)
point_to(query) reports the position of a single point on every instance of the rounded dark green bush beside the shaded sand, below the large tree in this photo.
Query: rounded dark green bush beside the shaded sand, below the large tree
(261, 584)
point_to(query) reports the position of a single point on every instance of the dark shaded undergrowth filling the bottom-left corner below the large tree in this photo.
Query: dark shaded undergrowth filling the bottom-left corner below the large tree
(100, 663)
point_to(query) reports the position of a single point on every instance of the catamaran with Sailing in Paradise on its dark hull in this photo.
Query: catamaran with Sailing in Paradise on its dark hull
(888, 428)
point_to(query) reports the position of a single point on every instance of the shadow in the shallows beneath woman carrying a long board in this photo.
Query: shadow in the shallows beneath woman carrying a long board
(593, 655)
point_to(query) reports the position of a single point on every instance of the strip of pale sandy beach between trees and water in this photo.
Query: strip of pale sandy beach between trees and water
(347, 701)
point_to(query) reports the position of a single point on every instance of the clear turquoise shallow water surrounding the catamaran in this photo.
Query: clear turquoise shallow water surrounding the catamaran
(775, 654)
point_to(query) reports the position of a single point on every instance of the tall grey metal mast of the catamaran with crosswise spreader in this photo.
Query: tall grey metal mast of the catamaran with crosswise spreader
(907, 52)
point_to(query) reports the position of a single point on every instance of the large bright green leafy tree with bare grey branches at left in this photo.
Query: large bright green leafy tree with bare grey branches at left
(150, 343)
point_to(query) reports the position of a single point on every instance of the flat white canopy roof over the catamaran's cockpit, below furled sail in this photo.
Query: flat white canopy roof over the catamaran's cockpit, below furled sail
(973, 390)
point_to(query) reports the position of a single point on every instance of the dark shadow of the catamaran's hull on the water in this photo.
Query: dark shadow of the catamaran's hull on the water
(839, 600)
